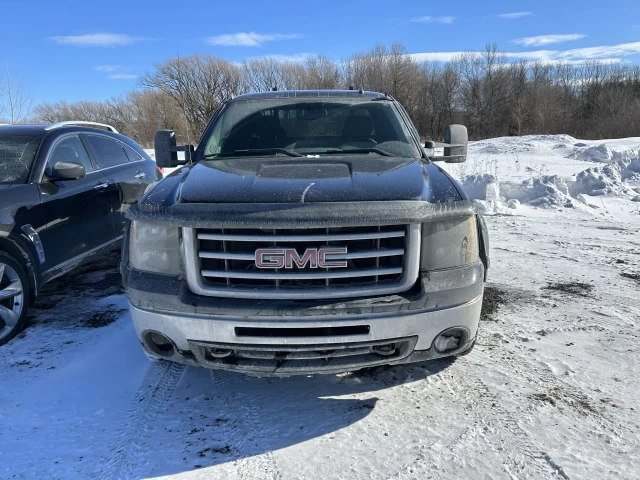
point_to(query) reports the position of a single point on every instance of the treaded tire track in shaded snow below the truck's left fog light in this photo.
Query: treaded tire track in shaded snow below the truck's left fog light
(132, 440)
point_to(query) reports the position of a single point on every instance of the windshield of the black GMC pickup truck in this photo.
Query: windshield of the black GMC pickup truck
(306, 127)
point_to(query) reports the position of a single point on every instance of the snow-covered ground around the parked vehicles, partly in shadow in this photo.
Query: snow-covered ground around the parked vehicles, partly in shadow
(550, 390)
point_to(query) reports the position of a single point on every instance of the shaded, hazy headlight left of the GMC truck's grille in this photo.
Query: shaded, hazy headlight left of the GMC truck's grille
(154, 248)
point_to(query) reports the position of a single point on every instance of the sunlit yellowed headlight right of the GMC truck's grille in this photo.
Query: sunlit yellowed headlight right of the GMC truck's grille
(449, 243)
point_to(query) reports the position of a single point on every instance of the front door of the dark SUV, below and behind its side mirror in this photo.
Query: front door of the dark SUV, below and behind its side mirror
(78, 212)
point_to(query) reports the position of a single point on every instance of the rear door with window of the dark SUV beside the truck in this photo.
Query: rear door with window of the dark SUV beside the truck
(128, 178)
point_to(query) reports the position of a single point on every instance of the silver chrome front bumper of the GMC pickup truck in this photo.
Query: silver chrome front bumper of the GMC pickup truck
(306, 344)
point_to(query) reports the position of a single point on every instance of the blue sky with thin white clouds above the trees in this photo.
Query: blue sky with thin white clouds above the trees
(88, 50)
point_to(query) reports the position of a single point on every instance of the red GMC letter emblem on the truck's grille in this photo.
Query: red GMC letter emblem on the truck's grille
(288, 257)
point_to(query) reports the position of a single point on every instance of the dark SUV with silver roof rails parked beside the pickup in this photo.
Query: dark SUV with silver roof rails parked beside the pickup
(64, 192)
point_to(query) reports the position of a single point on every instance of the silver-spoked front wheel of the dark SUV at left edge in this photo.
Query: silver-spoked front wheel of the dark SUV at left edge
(14, 297)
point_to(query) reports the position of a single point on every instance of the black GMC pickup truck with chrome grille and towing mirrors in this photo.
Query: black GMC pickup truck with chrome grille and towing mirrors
(309, 232)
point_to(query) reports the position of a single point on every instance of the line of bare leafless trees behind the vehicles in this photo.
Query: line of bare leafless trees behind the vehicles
(484, 90)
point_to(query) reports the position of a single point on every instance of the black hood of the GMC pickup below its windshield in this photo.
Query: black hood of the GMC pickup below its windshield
(308, 180)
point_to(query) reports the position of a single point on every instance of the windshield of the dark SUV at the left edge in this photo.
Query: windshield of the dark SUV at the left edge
(16, 157)
